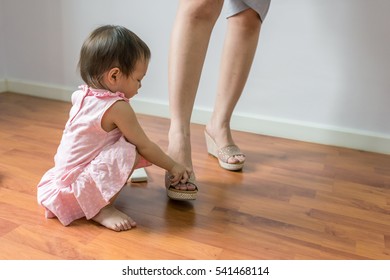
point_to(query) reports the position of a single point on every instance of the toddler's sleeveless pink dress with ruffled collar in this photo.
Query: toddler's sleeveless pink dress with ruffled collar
(91, 165)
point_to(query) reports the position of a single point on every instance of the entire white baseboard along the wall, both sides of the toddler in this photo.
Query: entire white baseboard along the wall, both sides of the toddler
(308, 132)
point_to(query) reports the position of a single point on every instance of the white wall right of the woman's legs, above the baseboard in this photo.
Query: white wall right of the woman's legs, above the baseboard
(326, 62)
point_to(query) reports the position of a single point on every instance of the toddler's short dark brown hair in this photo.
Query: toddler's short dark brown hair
(107, 47)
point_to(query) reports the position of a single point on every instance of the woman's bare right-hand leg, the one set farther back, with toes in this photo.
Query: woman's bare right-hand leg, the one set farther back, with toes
(237, 57)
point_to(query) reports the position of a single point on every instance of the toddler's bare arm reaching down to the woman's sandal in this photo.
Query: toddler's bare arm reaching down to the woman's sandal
(121, 115)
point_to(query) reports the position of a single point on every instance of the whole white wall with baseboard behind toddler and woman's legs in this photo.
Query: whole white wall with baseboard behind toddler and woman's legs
(320, 73)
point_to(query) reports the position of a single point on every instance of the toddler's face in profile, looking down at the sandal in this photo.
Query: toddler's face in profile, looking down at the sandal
(130, 85)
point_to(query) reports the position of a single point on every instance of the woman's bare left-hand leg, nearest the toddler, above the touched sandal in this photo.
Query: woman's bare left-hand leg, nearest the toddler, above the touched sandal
(194, 22)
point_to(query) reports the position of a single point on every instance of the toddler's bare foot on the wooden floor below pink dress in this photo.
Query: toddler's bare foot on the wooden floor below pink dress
(112, 218)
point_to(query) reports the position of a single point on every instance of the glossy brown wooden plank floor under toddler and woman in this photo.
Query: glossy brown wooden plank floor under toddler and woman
(293, 200)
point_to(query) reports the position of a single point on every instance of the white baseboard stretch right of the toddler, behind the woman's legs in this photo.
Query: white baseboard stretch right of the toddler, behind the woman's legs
(307, 132)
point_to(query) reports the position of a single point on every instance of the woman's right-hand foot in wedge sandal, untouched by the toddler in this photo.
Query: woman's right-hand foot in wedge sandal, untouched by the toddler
(222, 138)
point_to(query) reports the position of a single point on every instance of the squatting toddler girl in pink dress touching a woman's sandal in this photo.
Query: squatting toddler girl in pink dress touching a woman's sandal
(102, 142)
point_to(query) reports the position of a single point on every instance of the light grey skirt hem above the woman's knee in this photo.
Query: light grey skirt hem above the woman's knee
(234, 7)
